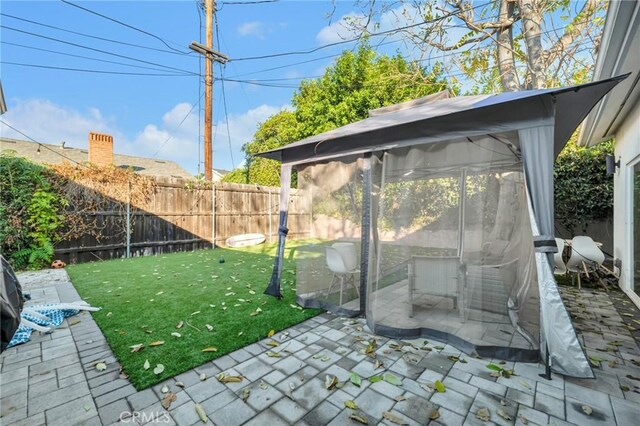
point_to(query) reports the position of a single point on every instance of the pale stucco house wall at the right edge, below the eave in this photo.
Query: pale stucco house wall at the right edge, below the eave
(628, 150)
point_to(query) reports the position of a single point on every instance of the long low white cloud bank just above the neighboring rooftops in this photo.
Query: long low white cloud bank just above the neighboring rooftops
(48, 122)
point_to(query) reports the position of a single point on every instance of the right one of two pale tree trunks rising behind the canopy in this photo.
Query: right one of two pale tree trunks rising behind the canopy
(532, 19)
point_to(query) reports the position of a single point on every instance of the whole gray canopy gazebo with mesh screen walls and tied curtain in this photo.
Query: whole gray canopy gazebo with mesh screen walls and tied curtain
(434, 218)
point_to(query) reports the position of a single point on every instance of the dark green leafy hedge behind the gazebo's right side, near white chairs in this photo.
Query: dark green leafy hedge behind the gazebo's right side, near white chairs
(583, 190)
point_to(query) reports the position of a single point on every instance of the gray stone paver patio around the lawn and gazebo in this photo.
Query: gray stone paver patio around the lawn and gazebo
(51, 379)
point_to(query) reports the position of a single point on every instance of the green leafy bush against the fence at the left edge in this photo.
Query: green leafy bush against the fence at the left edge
(30, 213)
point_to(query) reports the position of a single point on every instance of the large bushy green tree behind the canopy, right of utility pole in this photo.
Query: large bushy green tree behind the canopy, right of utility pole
(357, 82)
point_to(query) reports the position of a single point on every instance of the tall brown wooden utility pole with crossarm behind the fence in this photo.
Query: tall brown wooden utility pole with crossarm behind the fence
(210, 55)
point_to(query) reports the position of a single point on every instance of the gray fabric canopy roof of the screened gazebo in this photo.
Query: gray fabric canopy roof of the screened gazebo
(462, 116)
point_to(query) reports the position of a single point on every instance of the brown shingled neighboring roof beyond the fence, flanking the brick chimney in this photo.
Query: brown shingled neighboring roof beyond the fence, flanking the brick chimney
(55, 154)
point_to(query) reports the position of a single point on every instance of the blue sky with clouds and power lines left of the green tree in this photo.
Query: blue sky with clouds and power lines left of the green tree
(142, 111)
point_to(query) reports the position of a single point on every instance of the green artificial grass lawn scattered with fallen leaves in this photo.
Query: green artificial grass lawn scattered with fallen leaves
(144, 298)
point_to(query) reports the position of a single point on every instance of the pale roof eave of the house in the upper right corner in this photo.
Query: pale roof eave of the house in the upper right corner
(618, 54)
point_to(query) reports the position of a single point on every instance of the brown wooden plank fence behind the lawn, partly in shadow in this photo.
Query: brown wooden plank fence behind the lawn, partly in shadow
(181, 219)
